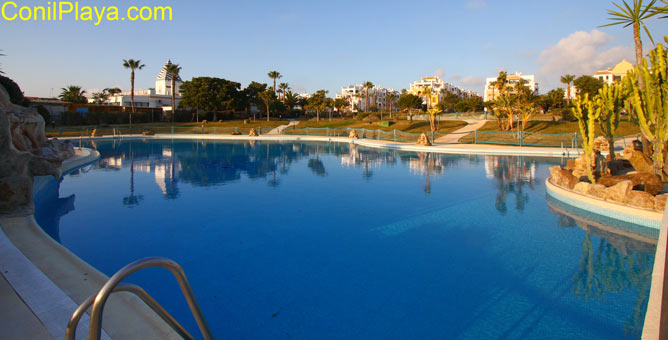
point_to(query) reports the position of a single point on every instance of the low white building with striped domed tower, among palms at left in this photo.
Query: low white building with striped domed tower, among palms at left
(158, 97)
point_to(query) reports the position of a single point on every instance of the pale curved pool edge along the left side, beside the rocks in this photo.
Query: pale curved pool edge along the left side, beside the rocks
(126, 317)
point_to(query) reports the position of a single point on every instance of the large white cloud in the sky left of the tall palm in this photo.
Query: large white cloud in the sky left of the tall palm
(582, 53)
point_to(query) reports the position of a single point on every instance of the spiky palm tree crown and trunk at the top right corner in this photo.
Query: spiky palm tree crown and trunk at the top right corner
(633, 16)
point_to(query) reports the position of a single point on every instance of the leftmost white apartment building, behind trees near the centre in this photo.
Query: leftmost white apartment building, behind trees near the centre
(378, 96)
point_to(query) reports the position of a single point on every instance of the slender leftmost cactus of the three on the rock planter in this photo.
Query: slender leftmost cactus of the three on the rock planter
(587, 113)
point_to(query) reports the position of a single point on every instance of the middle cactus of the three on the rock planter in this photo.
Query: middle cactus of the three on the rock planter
(610, 100)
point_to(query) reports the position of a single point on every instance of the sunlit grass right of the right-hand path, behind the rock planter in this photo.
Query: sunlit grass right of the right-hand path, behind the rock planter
(543, 127)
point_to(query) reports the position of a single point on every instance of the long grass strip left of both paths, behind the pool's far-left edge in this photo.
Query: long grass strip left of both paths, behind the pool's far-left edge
(164, 127)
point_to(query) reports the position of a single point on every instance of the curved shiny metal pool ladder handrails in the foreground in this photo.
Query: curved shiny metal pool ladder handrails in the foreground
(114, 285)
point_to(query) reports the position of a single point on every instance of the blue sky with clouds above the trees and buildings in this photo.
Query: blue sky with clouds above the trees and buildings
(321, 45)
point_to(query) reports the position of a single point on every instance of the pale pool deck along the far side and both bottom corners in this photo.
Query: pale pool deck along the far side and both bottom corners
(127, 317)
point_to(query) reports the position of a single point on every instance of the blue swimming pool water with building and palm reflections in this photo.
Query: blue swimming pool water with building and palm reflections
(331, 241)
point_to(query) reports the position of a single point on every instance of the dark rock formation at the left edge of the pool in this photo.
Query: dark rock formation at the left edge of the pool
(25, 152)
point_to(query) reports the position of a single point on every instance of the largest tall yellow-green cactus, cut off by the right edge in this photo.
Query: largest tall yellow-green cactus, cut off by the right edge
(649, 102)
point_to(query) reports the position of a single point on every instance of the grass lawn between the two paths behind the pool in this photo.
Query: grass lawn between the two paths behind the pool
(402, 125)
